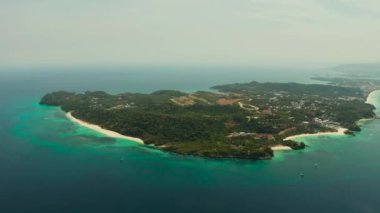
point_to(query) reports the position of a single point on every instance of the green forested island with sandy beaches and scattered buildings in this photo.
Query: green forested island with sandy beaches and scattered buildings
(242, 120)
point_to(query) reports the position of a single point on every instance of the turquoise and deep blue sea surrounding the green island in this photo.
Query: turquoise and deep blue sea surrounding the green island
(51, 165)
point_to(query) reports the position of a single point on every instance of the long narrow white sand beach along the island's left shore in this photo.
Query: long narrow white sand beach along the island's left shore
(99, 129)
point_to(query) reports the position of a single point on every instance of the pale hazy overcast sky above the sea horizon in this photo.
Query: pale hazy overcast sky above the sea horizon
(230, 32)
